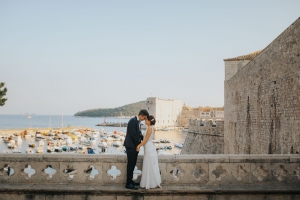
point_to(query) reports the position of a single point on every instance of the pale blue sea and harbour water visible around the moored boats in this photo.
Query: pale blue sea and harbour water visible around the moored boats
(57, 122)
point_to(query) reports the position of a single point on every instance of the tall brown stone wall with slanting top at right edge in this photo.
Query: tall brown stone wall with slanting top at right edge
(262, 100)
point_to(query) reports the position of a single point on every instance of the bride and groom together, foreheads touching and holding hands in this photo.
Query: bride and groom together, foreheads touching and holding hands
(133, 141)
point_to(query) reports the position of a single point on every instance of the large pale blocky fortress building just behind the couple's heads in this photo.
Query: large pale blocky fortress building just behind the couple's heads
(165, 111)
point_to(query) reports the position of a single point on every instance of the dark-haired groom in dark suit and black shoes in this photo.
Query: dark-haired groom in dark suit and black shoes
(132, 140)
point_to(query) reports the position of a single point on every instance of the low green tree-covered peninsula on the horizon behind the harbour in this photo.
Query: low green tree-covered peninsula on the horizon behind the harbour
(126, 110)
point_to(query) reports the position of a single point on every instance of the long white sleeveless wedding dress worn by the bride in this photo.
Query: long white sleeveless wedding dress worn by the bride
(150, 171)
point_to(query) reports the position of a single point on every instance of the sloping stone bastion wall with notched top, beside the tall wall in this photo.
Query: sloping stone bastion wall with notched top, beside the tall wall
(204, 139)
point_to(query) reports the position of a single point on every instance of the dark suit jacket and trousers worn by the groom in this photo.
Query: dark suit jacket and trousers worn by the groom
(132, 140)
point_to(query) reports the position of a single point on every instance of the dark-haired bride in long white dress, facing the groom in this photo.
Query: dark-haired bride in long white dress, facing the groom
(150, 172)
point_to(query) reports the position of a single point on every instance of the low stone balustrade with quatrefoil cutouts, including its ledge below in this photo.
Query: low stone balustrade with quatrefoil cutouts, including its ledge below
(183, 176)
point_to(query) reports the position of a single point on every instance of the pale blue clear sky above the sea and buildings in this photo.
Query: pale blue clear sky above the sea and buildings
(68, 56)
